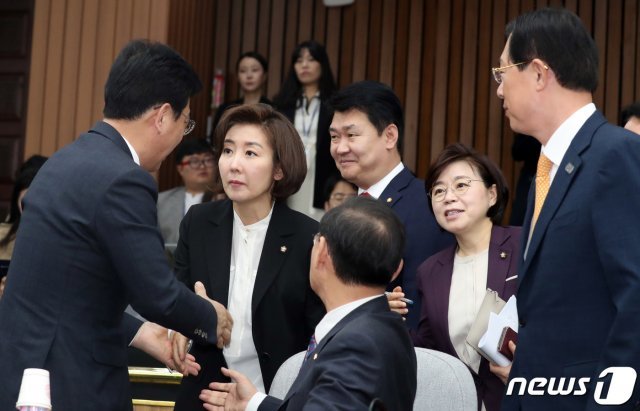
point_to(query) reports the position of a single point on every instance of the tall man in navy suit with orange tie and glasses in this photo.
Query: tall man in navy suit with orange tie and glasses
(579, 276)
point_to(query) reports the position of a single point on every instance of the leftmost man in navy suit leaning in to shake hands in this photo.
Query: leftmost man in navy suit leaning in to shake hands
(88, 245)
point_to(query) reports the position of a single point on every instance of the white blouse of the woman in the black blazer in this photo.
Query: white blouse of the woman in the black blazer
(246, 248)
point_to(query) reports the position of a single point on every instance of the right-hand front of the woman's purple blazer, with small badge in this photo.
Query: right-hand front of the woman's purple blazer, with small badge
(500, 255)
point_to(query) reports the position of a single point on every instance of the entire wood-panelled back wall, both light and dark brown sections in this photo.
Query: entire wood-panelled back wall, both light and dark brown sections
(436, 54)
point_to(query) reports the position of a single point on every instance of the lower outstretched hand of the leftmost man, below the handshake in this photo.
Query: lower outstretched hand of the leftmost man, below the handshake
(154, 340)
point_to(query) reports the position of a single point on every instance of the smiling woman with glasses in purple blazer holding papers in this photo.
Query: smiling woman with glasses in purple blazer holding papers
(468, 195)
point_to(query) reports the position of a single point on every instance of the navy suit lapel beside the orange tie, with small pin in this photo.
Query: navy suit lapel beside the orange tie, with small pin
(568, 169)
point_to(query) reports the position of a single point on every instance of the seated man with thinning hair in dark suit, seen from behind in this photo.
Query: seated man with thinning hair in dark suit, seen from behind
(360, 350)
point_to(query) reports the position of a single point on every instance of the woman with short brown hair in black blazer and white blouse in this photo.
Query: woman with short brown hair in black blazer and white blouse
(251, 251)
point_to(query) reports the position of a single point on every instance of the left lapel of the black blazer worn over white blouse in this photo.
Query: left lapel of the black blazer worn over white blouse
(217, 248)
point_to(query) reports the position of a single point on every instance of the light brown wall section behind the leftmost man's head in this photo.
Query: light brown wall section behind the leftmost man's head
(74, 44)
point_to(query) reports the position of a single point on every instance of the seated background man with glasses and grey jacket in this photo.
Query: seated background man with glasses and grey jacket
(196, 166)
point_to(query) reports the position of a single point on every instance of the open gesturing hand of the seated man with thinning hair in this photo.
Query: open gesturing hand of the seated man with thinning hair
(232, 396)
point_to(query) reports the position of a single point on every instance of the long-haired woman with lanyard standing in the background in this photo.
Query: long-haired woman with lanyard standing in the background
(302, 98)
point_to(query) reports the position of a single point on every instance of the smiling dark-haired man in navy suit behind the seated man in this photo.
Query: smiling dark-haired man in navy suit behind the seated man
(366, 139)
